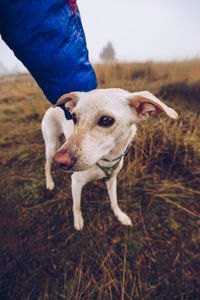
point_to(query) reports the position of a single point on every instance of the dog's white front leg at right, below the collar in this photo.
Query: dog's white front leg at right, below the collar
(112, 192)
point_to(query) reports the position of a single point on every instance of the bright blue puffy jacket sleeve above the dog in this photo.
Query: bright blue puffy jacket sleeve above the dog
(48, 37)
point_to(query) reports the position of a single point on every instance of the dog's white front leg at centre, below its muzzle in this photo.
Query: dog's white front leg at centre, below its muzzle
(77, 185)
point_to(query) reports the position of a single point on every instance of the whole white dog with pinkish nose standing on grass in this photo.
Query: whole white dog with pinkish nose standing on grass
(97, 138)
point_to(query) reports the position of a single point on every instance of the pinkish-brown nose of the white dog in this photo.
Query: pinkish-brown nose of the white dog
(64, 160)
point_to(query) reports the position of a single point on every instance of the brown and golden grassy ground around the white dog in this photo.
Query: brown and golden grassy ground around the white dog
(42, 256)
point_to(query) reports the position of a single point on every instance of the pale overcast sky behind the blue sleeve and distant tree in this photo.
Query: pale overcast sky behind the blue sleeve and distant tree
(140, 30)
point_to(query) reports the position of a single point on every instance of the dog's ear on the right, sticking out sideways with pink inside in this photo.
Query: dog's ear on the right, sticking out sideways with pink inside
(144, 103)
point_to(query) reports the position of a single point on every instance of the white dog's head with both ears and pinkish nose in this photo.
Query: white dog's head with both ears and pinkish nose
(103, 120)
